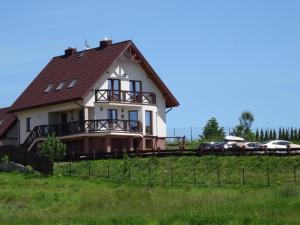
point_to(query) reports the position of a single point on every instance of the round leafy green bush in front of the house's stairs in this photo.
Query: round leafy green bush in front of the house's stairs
(52, 148)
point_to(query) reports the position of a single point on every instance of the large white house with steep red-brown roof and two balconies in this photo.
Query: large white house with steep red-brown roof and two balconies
(103, 99)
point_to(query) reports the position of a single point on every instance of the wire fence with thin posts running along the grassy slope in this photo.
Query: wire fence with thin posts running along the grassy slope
(148, 173)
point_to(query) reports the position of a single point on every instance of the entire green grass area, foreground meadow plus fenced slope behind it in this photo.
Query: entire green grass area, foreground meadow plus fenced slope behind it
(33, 199)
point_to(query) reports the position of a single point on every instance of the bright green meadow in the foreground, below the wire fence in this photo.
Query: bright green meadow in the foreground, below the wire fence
(63, 200)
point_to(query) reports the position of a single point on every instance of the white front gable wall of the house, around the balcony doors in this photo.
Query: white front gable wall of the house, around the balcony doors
(134, 72)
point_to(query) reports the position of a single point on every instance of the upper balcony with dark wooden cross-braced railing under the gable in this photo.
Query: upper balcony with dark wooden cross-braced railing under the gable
(129, 97)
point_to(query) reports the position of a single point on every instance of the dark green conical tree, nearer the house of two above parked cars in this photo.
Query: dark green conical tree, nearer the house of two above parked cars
(212, 131)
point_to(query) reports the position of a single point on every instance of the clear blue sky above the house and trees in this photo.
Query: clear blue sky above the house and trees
(218, 57)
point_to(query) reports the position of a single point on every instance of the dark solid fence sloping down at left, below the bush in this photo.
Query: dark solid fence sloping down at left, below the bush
(22, 156)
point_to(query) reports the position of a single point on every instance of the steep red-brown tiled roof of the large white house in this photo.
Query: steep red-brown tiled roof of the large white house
(85, 67)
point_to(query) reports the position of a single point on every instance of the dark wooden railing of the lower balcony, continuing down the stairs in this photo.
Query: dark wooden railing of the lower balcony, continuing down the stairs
(86, 126)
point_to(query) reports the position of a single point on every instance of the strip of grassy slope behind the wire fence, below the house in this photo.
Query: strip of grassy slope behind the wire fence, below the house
(190, 171)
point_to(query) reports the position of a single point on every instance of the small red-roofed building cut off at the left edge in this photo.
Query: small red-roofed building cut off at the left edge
(8, 128)
